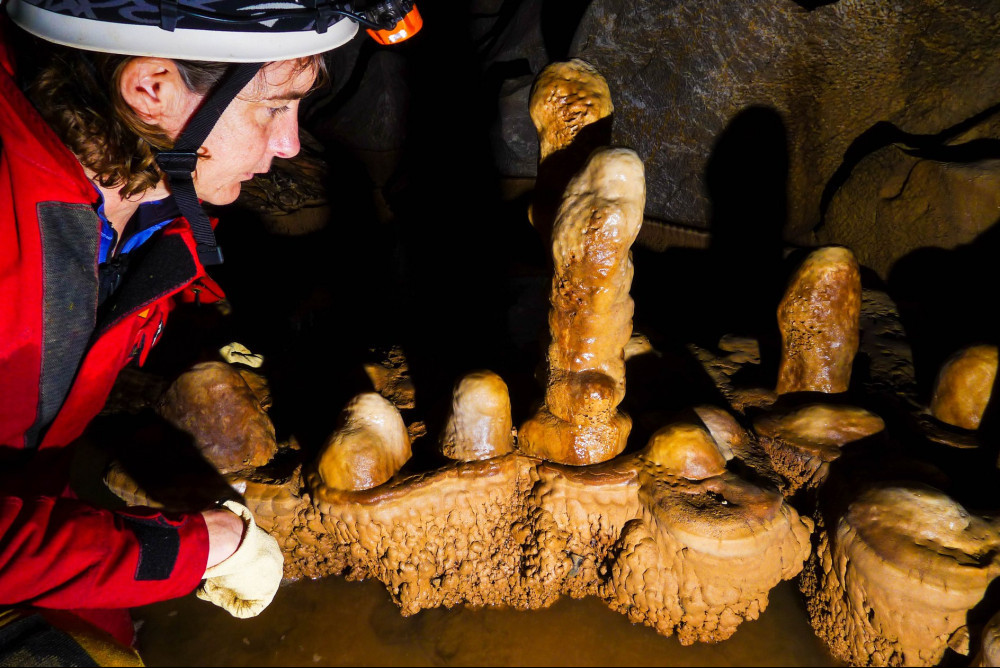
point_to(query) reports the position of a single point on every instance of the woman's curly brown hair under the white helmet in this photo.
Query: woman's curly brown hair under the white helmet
(78, 93)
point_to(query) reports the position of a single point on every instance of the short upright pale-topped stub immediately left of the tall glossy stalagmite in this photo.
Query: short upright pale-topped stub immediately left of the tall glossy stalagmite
(479, 426)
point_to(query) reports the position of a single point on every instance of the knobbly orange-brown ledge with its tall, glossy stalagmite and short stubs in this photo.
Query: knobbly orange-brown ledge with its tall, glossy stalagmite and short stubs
(668, 536)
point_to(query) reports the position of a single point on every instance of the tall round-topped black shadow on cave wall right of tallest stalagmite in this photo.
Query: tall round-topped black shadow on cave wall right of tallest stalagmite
(734, 286)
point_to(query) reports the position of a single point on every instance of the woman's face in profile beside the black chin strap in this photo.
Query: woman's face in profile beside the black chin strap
(259, 125)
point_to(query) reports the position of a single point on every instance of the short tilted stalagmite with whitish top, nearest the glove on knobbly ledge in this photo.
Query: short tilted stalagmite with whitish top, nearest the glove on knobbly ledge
(368, 447)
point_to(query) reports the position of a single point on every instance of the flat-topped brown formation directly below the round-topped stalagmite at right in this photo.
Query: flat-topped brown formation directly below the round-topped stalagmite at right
(801, 442)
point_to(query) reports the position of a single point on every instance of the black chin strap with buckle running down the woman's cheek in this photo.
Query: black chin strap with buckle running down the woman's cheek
(179, 163)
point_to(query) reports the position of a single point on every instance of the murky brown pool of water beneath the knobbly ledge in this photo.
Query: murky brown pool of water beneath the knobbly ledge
(336, 622)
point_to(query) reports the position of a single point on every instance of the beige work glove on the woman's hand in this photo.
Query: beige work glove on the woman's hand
(245, 583)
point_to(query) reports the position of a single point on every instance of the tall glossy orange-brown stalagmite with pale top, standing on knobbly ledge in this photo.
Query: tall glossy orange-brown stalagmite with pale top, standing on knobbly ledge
(591, 316)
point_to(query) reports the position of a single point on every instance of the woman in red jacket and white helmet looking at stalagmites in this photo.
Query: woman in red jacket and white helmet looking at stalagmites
(141, 113)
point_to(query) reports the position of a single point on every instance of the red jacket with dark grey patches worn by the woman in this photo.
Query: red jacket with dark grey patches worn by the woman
(58, 361)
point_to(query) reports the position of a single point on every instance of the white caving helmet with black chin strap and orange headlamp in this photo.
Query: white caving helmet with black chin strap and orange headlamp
(248, 33)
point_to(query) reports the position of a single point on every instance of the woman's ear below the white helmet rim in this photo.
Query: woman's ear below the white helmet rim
(154, 89)
